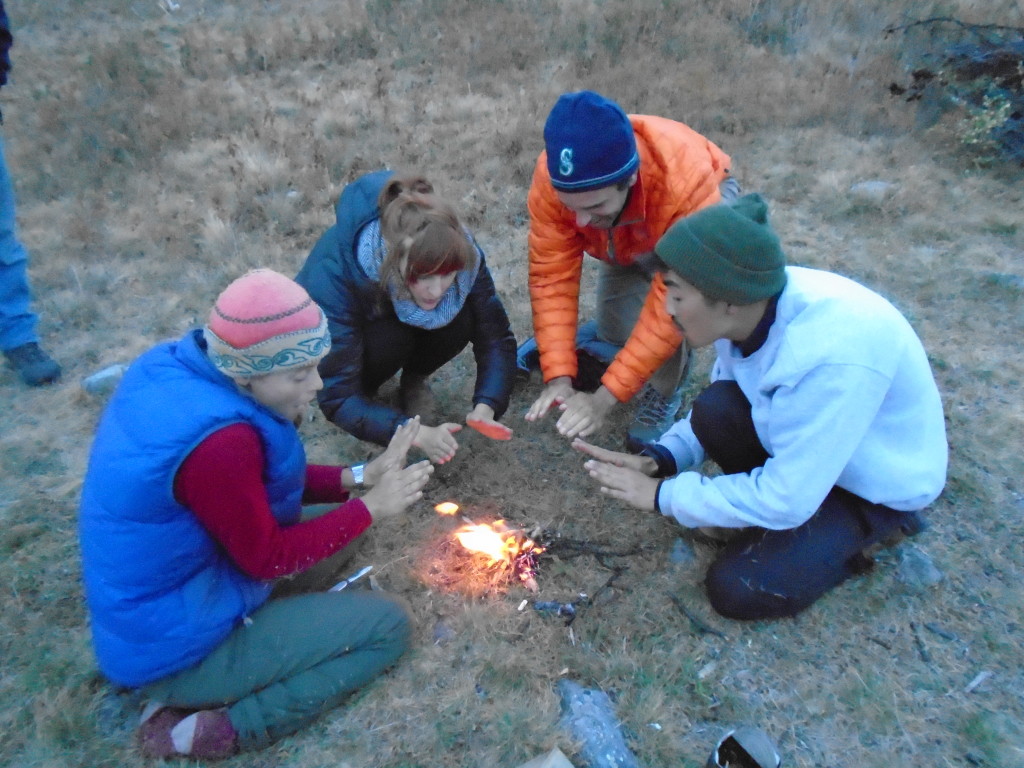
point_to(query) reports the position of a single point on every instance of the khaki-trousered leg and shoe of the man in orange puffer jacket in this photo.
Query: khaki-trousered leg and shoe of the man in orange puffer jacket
(621, 295)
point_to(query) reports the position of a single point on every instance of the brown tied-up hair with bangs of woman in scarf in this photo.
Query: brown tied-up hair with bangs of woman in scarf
(422, 232)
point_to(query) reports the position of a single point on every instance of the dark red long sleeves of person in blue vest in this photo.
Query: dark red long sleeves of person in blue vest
(222, 482)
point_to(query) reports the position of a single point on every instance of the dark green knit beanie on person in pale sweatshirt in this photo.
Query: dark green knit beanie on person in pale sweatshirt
(728, 252)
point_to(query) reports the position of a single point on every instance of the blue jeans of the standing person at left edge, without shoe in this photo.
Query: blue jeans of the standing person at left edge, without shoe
(18, 322)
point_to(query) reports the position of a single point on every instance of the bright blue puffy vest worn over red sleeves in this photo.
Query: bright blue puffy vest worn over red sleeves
(162, 593)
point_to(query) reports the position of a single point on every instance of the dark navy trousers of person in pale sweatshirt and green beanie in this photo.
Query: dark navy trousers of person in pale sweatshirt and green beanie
(765, 574)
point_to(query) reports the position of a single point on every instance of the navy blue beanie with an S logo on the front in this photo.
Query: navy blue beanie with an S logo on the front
(590, 143)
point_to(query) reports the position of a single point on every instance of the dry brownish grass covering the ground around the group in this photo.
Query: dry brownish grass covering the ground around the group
(159, 155)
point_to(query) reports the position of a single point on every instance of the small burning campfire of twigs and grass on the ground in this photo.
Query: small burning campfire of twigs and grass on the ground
(479, 558)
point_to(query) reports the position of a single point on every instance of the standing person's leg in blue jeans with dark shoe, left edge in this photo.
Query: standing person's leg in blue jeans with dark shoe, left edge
(18, 323)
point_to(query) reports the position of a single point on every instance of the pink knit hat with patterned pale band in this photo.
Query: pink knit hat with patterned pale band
(265, 323)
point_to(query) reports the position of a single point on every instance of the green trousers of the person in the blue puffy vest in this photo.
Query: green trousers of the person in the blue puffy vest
(294, 660)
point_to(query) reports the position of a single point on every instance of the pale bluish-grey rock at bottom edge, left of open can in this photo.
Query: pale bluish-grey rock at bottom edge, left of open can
(590, 717)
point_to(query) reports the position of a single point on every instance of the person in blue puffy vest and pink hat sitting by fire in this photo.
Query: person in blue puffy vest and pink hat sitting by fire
(192, 507)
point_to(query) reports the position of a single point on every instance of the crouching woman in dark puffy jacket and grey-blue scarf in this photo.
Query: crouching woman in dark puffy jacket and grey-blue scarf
(406, 288)
